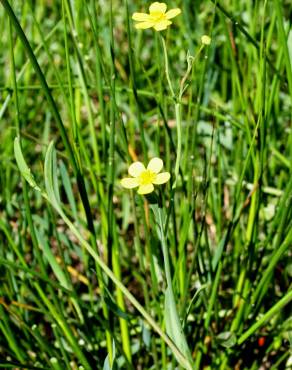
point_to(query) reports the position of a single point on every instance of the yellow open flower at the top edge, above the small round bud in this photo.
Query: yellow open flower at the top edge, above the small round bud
(158, 17)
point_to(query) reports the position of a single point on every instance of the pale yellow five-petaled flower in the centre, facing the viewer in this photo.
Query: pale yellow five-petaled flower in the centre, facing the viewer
(145, 178)
